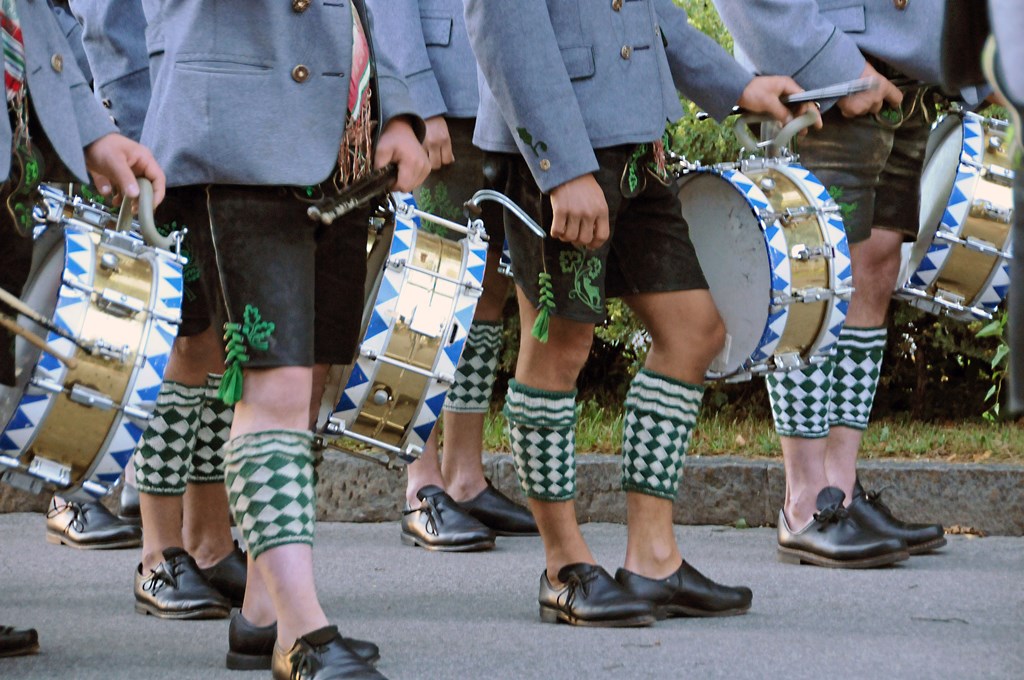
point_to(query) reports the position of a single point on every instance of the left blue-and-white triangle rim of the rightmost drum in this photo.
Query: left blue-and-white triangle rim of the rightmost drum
(959, 203)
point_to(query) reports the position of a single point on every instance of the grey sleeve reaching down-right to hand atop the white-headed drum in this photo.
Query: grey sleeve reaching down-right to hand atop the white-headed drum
(701, 68)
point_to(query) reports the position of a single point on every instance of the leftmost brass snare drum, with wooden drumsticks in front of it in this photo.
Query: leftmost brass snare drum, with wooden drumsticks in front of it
(73, 431)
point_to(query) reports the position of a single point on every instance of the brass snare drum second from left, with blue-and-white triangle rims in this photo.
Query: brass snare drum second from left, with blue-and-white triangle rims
(420, 309)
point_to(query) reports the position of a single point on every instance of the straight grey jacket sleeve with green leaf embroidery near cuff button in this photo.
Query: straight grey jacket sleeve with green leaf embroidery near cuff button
(518, 50)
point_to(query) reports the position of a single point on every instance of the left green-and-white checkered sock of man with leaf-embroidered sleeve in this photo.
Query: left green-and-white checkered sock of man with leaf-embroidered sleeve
(542, 431)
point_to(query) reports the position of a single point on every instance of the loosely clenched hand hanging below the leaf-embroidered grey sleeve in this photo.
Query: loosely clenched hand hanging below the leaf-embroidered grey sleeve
(581, 214)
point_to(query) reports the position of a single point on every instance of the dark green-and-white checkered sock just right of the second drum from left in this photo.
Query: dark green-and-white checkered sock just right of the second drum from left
(475, 379)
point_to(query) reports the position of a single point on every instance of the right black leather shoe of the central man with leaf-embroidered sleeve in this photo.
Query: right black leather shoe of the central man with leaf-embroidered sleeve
(687, 593)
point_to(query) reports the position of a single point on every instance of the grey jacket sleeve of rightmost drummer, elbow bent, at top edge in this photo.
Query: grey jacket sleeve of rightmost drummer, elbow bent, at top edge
(792, 38)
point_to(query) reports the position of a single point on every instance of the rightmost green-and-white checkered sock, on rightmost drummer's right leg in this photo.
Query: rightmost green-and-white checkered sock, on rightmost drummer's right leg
(859, 365)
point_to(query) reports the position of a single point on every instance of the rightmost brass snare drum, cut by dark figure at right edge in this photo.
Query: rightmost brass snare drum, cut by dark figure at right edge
(960, 267)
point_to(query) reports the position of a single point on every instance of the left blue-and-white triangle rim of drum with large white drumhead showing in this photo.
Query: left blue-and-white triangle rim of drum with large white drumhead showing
(779, 261)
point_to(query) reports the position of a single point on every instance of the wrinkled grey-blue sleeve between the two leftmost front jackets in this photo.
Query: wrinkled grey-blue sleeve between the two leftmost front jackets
(115, 44)
